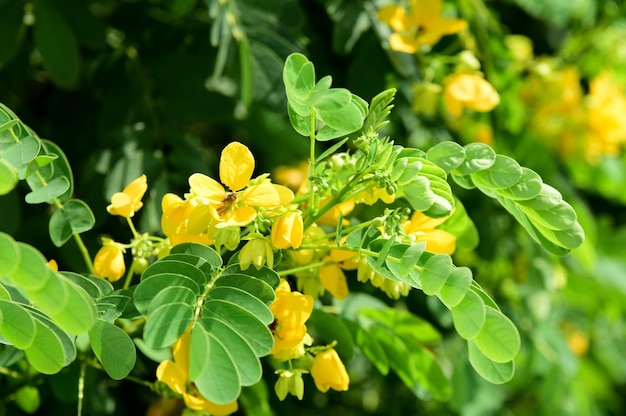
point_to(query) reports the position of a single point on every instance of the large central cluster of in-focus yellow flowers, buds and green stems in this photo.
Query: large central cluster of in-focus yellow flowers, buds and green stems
(261, 223)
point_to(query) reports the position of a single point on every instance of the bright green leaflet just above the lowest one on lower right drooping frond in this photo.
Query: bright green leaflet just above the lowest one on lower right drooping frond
(498, 339)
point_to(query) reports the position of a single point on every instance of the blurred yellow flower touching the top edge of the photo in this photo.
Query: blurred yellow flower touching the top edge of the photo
(421, 25)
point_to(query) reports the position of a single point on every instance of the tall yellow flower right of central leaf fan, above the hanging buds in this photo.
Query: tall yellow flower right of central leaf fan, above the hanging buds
(291, 310)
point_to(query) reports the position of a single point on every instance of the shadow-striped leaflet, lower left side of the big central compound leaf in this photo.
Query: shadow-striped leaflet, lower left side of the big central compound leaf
(167, 323)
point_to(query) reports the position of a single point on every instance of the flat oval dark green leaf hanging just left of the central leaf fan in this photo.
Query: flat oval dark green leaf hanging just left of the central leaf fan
(114, 349)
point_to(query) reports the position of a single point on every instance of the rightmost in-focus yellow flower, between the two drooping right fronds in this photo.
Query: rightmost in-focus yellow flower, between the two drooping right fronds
(422, 228)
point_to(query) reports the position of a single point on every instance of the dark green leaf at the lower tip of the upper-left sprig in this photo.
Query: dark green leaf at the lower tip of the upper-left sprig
(74, 218)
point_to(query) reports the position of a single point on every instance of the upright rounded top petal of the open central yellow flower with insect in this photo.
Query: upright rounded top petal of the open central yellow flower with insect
(236, 166)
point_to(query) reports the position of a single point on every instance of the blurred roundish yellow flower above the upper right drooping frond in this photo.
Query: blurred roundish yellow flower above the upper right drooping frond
(469, 91)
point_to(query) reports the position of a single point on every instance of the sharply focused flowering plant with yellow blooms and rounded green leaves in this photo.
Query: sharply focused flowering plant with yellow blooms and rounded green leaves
(252, 272)
